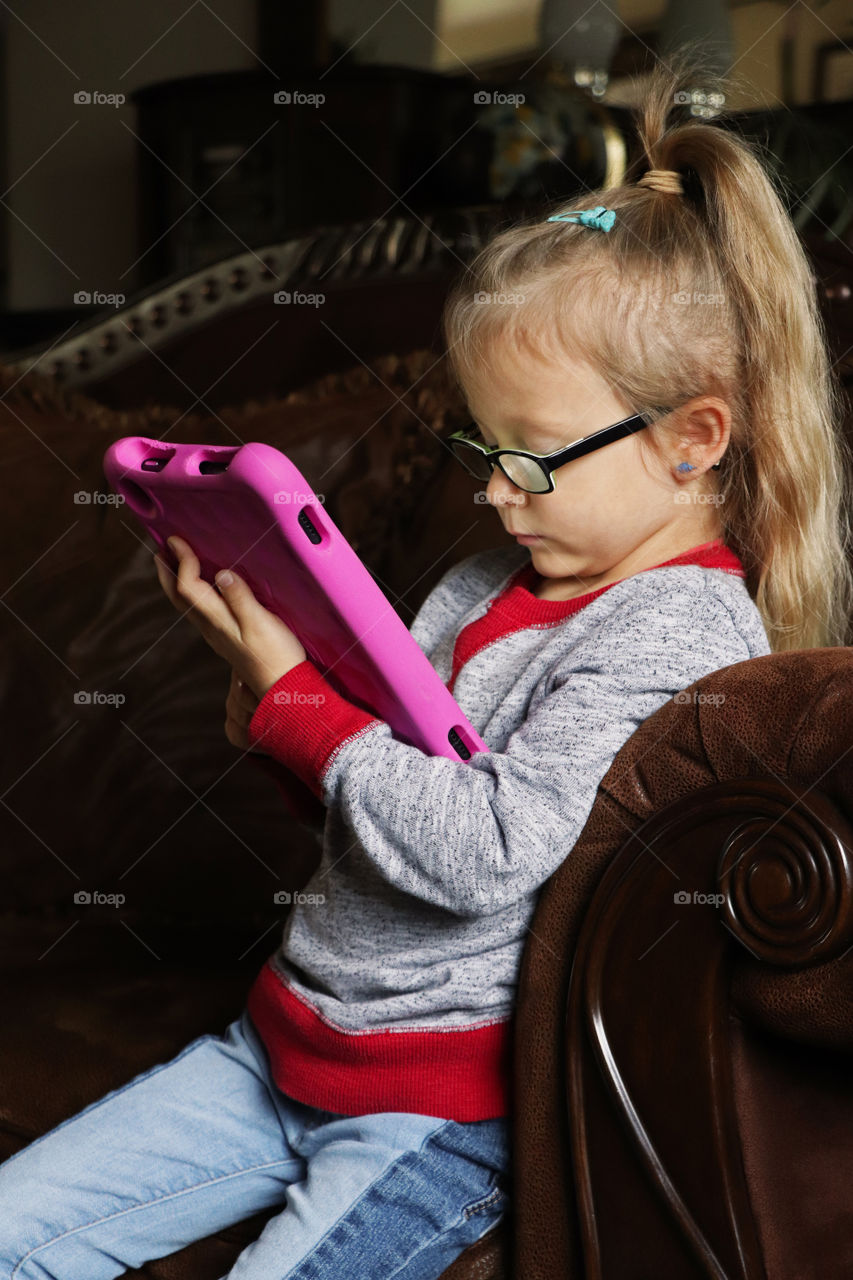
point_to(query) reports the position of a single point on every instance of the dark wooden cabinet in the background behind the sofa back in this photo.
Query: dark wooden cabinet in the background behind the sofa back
(273, 158)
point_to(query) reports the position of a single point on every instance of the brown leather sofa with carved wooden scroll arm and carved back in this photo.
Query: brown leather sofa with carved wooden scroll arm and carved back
(683, 1098)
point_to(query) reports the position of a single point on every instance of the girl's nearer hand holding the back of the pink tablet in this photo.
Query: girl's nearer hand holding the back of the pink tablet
(257, 644)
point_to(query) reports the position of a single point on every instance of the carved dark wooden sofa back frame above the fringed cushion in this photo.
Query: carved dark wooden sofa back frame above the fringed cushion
(284, 314)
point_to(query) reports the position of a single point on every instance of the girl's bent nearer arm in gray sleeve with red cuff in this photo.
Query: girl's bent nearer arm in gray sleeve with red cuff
(478, 836)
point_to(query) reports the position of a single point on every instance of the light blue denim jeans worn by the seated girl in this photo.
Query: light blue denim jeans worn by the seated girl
(199, 1144)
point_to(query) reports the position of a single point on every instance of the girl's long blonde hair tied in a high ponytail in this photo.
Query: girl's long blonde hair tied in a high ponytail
(784, 482)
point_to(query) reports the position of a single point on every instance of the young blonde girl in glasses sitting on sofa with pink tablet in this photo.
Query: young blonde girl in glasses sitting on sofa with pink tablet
(364, 1094)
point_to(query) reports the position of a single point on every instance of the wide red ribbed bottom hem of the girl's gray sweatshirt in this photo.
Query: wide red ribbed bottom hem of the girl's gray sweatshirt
(457, 1075)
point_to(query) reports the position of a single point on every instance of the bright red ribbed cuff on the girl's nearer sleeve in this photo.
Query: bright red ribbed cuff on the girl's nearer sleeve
(302, 720)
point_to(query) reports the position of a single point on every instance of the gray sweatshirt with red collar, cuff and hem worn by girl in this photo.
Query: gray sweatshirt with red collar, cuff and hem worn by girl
(394, 986)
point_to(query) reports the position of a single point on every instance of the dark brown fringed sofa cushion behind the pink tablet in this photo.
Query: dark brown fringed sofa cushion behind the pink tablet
(147, 798)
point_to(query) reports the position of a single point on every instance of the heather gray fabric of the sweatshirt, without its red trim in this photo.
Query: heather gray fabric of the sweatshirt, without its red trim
(431, 867)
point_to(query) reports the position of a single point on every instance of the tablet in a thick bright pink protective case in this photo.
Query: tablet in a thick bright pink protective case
(248, 508)
